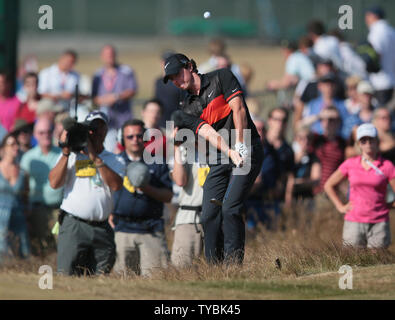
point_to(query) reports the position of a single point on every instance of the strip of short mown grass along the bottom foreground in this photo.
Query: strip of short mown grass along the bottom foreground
(375, 282)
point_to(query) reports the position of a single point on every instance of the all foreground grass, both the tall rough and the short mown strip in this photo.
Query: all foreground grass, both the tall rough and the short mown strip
(308, 247)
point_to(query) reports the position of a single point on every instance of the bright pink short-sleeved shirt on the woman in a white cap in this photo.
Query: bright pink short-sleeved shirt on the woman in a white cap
(367, 190)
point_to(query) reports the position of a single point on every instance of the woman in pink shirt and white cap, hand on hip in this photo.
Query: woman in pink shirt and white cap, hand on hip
(367, 212)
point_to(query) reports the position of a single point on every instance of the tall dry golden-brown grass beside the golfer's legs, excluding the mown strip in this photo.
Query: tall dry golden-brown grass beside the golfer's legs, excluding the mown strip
(305, 243)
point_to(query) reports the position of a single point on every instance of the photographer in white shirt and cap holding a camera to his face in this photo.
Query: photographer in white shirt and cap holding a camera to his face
(90, 177)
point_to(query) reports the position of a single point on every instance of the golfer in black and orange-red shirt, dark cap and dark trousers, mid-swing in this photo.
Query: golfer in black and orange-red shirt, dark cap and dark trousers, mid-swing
(215, 101)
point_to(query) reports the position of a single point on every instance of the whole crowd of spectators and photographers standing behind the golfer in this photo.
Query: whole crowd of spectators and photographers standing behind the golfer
(342, 116)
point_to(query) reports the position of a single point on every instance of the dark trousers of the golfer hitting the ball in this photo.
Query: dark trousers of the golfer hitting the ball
(224, 227)
